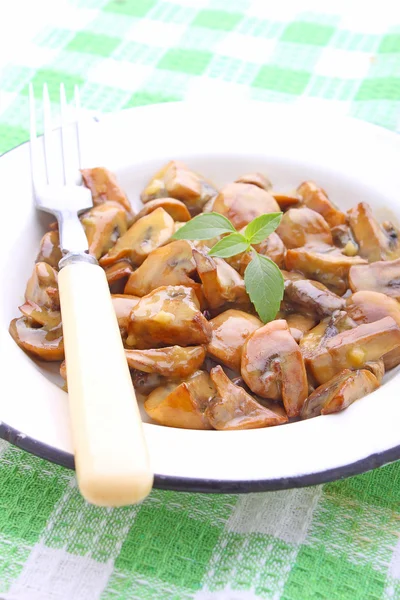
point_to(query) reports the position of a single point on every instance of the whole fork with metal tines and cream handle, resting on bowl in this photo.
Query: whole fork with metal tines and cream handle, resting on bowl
(111, 458)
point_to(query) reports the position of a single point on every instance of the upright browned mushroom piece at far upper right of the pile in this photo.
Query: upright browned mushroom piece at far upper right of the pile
(371, 238)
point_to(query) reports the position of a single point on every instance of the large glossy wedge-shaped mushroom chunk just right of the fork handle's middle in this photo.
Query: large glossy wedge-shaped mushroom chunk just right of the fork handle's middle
(168, 315)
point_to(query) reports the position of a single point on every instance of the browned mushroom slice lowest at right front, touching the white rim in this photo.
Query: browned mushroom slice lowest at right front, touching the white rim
(339, 392)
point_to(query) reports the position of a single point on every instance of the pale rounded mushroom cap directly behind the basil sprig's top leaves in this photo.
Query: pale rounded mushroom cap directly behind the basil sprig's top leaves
(243, 202)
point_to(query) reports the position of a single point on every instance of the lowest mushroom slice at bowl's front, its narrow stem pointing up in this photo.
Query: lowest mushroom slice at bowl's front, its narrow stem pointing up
(233, 408)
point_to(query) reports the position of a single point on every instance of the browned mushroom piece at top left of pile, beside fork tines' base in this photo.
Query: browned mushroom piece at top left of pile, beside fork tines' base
(104, 187)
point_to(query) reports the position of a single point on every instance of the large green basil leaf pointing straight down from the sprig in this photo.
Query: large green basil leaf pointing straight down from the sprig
(264, 284)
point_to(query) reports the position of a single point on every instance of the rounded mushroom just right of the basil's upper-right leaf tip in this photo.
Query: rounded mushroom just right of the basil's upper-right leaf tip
(303, 226)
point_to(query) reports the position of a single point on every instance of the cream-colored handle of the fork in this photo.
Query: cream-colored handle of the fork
(111, 458)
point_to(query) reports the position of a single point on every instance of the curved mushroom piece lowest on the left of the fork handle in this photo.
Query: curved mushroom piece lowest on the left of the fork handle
(42, 343)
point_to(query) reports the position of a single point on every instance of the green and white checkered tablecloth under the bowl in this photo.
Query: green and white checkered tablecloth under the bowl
(338, 541)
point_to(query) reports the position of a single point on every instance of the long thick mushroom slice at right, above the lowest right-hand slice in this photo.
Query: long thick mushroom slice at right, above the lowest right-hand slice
(353, 348)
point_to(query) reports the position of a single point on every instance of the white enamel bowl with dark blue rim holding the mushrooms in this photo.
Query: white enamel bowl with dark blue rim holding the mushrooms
(352, 160)
